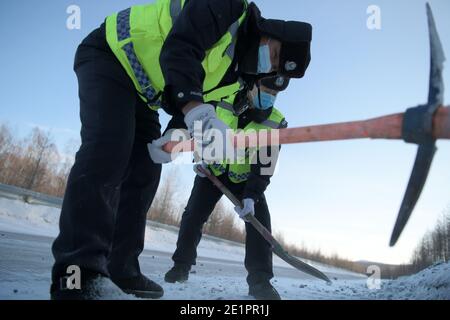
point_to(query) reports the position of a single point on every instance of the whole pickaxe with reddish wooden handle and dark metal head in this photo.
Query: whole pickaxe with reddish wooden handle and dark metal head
(421, 125)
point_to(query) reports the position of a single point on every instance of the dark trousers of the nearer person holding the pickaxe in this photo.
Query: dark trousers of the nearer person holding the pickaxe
(113, 181)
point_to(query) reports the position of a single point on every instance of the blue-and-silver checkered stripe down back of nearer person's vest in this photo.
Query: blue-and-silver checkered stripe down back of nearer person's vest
(123, 32)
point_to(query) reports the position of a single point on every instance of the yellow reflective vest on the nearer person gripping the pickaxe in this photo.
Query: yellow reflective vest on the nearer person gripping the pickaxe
(136, 36)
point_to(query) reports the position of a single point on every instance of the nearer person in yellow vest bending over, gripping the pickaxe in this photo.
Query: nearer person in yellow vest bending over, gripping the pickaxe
(169, 54)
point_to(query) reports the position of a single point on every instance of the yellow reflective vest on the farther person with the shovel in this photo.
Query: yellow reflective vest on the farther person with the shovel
(239, 172)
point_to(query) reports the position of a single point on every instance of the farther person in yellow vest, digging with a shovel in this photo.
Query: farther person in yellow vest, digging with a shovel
(247, 181)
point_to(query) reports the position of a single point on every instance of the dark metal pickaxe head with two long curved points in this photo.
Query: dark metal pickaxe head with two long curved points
(417, 128)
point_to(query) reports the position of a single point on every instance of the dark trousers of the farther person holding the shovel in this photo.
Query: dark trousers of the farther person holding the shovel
(203, 199)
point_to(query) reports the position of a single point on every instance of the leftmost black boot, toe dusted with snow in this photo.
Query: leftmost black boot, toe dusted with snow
(93, 286)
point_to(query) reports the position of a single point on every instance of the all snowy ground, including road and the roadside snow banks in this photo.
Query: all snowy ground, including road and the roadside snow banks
(27, 232)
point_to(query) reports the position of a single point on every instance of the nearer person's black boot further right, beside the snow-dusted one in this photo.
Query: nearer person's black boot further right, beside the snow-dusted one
(140, 286)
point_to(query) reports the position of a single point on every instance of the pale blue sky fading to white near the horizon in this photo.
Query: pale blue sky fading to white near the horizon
(341, 197)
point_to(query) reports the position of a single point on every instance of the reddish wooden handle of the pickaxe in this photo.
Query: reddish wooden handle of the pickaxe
(387, 127)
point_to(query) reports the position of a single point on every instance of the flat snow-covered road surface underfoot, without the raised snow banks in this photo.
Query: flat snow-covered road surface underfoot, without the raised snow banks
(26, 262)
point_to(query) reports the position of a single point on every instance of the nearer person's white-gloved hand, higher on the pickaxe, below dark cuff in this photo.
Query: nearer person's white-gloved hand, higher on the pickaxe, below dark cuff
(212, 143)
